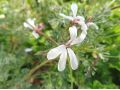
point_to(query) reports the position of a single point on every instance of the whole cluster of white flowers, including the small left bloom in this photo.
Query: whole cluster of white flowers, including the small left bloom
(64, 49)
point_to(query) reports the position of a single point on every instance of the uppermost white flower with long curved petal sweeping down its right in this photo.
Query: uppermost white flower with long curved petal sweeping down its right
(81, 21)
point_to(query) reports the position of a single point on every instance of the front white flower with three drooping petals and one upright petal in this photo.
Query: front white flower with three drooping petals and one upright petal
(63, 50)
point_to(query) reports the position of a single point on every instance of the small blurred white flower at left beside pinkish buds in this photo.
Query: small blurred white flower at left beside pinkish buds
(30, 23)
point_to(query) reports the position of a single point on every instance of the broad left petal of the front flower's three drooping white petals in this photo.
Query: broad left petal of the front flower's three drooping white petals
(53, 53)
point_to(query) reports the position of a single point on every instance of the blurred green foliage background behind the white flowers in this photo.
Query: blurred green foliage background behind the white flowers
(16, 64)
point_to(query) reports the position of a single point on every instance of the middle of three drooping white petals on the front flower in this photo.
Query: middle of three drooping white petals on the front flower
(62, 60)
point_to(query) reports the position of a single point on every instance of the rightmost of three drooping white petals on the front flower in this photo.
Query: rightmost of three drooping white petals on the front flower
(73, 59)
